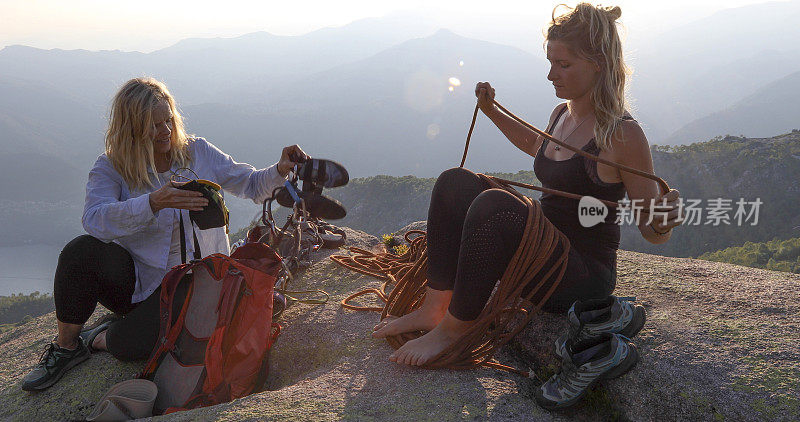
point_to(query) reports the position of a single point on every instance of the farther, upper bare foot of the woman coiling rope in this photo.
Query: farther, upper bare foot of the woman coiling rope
(424, 318)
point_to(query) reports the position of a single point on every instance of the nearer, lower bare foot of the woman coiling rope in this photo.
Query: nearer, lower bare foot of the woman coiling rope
(419, 351)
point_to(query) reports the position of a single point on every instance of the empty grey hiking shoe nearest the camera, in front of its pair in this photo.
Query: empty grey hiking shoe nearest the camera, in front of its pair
(584, 364)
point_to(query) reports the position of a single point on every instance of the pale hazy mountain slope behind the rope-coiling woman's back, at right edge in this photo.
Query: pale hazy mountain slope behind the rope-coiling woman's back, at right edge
(710, 64)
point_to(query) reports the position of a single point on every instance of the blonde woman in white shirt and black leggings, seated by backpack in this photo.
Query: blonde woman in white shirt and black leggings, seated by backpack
(132, 216)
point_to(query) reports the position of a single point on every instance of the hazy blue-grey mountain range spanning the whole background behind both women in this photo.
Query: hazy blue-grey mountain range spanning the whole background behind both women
(391, 95)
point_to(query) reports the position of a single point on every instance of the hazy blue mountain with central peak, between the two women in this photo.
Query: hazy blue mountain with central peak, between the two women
(391, 113)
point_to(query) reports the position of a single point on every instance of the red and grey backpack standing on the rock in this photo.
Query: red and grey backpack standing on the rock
(216, 329)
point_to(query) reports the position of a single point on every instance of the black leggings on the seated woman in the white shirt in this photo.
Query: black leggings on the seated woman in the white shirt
(91, 271)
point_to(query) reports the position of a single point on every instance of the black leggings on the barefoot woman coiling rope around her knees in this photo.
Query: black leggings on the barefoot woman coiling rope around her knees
(473, 232)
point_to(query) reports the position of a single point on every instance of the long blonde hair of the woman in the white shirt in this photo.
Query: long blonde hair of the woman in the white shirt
(129, 138)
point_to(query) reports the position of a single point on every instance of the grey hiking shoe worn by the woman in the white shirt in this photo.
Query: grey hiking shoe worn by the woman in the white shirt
(53, 364)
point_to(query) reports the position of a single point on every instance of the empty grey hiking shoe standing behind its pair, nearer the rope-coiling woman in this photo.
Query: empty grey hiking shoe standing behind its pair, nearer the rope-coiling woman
(593, 317)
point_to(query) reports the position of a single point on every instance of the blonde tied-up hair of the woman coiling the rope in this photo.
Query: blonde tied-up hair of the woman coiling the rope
(591, 33)
